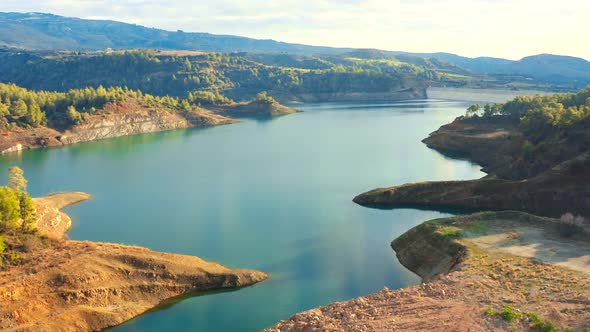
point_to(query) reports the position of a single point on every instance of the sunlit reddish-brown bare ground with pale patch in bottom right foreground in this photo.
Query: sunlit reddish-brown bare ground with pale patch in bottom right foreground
(497, 285)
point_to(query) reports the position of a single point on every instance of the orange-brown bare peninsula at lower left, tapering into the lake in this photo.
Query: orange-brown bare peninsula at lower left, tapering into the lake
(86, 286)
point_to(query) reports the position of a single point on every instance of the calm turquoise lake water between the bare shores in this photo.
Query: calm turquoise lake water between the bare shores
(271, 195)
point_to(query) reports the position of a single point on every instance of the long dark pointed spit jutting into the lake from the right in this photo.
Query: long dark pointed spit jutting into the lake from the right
(551, 193)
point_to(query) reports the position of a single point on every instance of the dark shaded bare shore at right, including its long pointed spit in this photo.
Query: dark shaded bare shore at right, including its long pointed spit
(554, 185)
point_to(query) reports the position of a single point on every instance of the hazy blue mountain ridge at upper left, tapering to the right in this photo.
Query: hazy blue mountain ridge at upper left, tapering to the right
(40, 31)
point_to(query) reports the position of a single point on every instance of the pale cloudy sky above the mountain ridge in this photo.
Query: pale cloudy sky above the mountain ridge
(501, 28)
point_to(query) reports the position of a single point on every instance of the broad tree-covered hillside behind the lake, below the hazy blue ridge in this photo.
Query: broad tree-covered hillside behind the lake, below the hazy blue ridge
(240, 76)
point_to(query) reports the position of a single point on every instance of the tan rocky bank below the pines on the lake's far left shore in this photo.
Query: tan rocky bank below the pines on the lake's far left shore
(131, 118)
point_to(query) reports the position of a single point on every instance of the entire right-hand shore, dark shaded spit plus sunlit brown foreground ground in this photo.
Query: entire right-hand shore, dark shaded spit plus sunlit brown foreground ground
(487, 271)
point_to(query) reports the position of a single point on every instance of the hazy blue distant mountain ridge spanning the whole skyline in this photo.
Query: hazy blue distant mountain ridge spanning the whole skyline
(41, 31)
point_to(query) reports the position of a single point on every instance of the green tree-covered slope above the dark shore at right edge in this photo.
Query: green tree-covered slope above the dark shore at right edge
(555, 127)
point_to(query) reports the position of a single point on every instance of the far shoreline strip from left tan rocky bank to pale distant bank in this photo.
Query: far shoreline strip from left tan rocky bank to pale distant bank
(119, 125)
